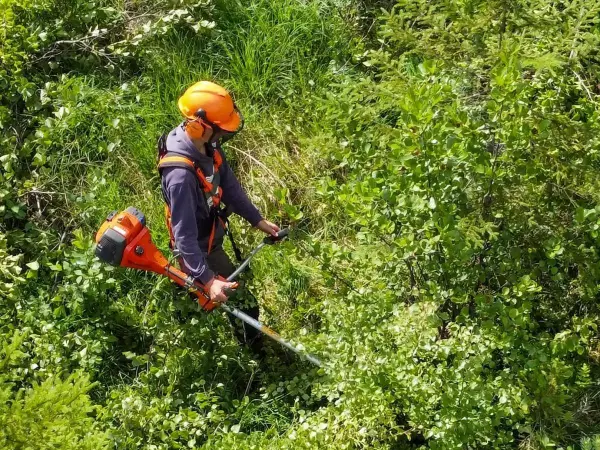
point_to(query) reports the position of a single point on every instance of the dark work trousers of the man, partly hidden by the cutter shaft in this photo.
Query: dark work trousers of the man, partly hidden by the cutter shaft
(219, 262)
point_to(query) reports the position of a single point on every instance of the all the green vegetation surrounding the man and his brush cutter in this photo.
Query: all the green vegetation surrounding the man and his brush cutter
(439, 165)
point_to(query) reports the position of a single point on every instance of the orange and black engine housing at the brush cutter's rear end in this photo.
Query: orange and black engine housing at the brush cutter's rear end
(123, 240)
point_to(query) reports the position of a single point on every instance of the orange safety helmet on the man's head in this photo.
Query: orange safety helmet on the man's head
(213, 105)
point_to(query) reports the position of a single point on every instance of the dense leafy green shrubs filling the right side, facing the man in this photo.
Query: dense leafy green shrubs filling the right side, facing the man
(468, 170)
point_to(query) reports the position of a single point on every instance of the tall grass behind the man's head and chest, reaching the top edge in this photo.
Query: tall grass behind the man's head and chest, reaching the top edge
(273, 56)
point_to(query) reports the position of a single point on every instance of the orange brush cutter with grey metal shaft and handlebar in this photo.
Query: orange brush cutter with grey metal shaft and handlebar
(124, 240)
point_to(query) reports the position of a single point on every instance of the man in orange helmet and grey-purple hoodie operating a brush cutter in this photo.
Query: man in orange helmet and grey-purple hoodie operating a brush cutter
(195, 179)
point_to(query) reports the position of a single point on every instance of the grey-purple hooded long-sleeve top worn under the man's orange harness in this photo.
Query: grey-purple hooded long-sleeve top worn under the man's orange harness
(190, 217)
